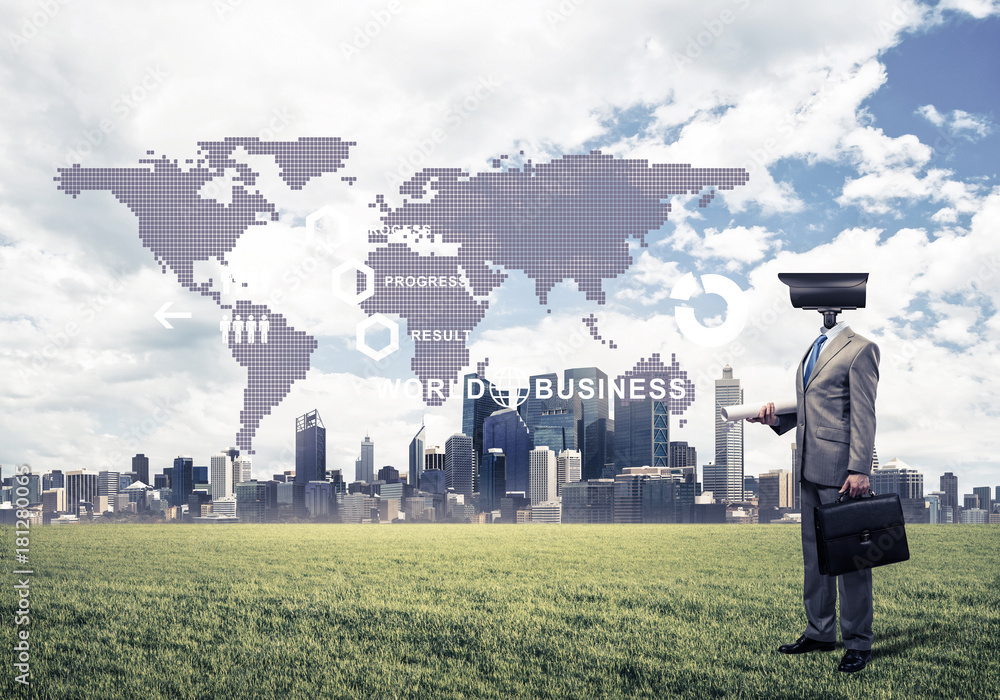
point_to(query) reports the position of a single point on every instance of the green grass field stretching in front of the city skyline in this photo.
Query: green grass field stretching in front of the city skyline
(467, 611)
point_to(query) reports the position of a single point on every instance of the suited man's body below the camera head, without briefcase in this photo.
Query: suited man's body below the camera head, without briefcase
(835, 428)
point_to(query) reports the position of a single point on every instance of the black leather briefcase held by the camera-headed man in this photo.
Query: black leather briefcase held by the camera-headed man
(860, 533)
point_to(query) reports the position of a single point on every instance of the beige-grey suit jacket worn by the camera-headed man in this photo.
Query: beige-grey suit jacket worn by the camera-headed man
(835, 417)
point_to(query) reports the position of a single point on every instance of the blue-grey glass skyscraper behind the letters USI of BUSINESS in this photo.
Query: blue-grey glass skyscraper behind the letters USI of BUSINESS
(592, 419)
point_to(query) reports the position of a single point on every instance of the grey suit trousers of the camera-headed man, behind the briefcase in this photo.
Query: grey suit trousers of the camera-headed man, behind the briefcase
(820, 590)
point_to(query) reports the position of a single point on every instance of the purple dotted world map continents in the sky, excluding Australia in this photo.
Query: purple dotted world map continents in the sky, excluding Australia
(568, 219)
